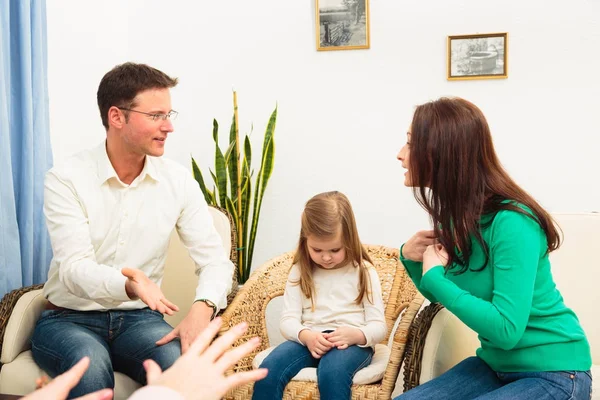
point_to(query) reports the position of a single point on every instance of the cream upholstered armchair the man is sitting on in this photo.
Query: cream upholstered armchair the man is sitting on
(19, 371)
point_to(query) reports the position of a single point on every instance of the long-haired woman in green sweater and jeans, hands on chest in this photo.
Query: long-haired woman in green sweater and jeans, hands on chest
(486, 261)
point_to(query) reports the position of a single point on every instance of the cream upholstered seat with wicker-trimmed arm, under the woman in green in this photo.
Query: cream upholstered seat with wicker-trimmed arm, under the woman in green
(576, 271)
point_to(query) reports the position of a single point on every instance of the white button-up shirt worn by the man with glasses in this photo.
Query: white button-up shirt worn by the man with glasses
(98, 225)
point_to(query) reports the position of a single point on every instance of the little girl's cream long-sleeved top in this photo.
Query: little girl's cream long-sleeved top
(335, 293)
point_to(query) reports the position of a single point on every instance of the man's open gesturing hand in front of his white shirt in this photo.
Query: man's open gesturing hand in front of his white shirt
(139, 286)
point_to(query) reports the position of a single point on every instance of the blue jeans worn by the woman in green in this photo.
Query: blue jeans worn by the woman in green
(474, 379)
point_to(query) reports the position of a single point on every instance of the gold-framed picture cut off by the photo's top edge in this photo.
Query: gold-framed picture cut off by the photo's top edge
(342, 24)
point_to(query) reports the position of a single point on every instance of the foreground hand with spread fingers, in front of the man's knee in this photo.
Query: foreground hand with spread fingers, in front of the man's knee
(200, 373)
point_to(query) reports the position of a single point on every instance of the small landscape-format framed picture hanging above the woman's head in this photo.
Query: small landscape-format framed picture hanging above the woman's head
(481, 56)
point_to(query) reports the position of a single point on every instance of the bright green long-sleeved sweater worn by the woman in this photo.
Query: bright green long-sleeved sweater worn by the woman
(513, 304)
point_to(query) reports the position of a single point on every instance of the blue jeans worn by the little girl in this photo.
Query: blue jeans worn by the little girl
(335, 370)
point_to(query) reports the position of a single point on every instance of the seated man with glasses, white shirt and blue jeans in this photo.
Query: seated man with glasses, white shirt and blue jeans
(110, 212)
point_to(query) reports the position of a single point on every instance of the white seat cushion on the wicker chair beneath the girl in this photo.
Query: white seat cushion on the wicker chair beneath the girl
(371, 373)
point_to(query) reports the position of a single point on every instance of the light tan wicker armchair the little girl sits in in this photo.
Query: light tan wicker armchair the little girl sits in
(268, 282)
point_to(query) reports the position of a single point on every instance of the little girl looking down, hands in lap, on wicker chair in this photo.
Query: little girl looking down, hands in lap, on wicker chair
(333, 310)
